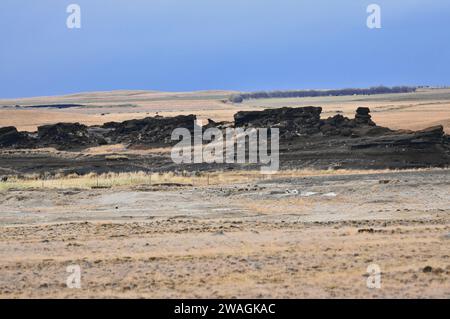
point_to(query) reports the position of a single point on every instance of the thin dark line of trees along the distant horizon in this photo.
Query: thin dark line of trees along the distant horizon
(239, 98)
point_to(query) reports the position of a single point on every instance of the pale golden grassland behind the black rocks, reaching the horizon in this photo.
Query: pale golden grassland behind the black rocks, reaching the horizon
(424, 108)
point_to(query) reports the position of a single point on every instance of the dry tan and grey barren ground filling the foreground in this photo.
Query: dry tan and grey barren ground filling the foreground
(290, 237)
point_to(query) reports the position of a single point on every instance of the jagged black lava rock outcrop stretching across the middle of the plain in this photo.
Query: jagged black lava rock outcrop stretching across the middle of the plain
(306, 140)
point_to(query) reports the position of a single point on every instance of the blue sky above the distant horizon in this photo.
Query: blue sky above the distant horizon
(247, 45)
